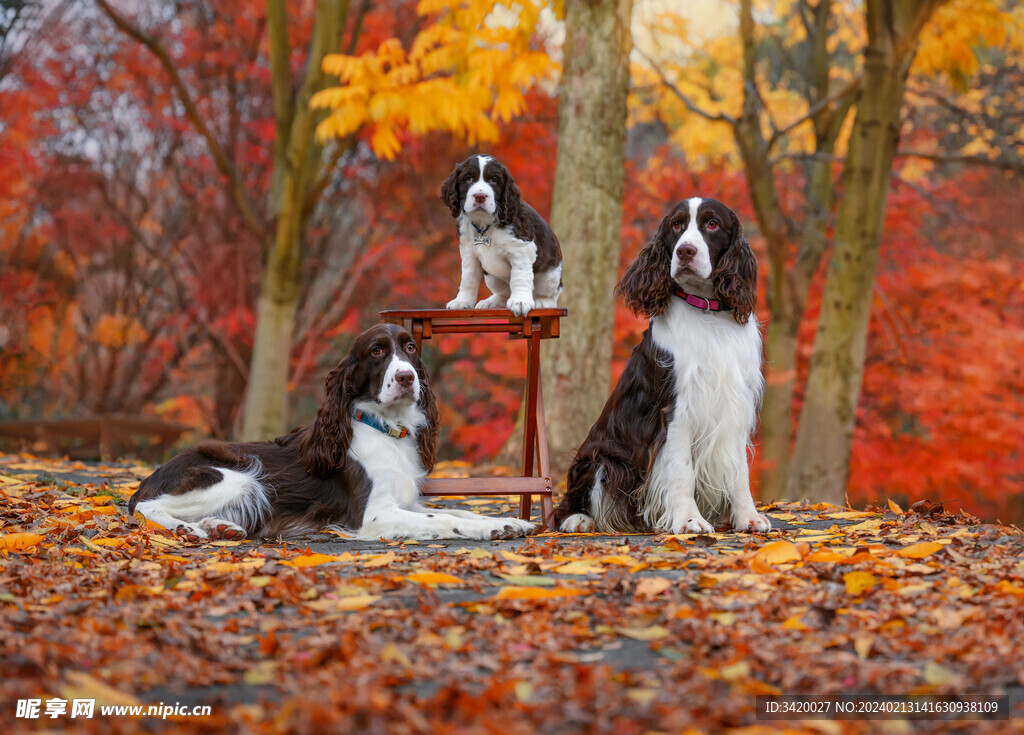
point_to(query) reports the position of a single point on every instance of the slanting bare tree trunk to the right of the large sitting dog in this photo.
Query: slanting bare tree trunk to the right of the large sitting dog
(822, 458)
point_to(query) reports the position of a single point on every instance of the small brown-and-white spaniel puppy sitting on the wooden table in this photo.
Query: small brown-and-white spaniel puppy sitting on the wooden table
(502, 238)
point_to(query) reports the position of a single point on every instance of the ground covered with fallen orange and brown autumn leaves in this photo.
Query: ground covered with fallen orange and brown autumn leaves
(551, 634)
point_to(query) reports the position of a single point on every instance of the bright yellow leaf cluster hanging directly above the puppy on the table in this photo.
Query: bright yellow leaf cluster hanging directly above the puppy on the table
(463, 74)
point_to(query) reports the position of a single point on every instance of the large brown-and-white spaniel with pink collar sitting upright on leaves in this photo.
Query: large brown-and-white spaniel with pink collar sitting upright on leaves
(677, 425)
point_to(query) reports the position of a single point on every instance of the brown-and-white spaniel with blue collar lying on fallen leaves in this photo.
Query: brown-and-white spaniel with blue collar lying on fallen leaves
(360, 467)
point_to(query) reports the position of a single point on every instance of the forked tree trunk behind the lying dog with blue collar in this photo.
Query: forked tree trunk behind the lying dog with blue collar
(295, 156)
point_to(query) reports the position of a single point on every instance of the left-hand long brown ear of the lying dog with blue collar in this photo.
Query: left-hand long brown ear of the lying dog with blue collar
(325, 448)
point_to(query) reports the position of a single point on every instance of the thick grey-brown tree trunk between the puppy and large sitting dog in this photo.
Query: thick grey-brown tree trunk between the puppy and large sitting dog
(587, 213)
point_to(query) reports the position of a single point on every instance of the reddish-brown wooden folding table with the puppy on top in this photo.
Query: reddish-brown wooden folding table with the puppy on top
(538, 325)
